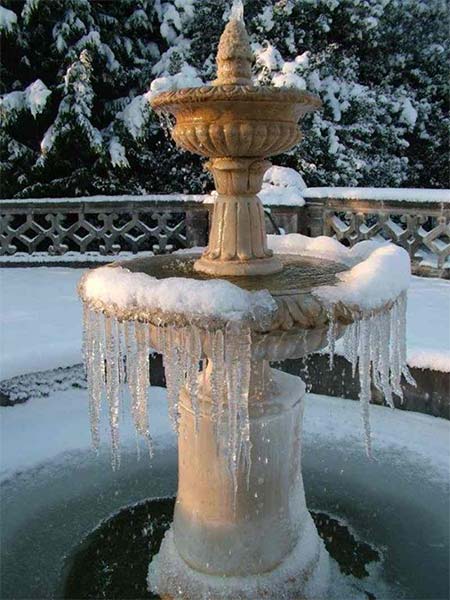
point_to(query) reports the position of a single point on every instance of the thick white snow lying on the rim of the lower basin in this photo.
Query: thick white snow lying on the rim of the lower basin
(378, 274)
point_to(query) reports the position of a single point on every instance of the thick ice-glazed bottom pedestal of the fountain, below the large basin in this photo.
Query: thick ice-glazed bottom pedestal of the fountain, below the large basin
(248, 536)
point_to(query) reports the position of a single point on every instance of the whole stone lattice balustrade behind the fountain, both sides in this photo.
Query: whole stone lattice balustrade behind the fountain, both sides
(98, 228)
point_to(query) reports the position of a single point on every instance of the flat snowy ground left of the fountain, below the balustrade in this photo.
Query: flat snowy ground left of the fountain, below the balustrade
(40, 319)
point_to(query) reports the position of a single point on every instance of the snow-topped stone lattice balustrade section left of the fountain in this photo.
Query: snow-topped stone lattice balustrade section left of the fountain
(101, 225)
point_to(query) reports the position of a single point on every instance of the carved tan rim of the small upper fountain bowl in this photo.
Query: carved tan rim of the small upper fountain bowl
(242, 93)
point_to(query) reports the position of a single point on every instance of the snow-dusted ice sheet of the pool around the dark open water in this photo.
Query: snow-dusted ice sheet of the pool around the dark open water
(55, 490)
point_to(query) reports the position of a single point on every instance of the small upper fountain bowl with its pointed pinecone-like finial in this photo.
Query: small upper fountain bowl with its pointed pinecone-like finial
(233, 118)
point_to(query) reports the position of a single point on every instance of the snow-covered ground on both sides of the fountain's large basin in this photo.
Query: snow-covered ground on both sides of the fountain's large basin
(40, 321)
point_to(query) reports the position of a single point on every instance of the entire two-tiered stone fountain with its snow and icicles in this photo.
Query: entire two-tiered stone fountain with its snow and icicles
(241, 528)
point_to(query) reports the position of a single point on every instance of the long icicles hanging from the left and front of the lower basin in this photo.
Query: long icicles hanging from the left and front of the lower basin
(117, 353)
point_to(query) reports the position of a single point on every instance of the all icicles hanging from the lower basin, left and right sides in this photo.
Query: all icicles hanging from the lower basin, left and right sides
(117, 353)
